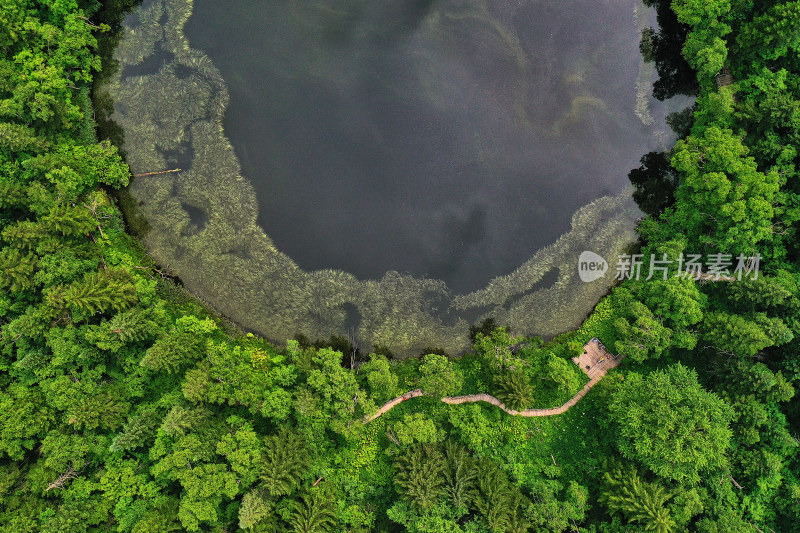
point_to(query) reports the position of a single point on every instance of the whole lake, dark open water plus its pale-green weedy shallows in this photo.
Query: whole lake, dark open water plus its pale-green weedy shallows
(395, 170)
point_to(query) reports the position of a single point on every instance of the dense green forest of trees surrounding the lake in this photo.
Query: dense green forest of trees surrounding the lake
(127, 404)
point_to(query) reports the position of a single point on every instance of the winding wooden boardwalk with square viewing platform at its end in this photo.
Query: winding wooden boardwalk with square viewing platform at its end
(595, 361)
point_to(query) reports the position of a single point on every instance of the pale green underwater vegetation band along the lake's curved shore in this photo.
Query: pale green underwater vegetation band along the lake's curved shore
(203, 220)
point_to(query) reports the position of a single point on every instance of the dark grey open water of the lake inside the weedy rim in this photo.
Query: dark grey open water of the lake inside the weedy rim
(443, 139)
